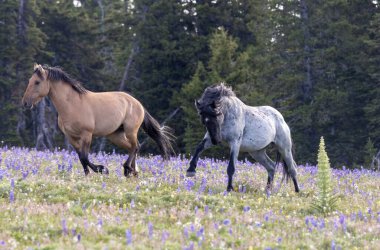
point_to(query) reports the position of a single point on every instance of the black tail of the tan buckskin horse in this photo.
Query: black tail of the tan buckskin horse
(161, 135)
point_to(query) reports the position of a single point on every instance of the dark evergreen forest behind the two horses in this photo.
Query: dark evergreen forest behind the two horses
(315, 61)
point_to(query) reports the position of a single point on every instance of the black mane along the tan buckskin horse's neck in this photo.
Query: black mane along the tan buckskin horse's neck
(55, 74)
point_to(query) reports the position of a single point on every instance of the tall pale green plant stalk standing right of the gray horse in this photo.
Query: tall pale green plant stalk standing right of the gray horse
(325, 200)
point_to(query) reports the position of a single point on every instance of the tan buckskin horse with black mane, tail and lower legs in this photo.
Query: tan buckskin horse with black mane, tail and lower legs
(83, 114)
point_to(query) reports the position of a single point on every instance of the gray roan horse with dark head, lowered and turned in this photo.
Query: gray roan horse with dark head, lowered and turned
(246, 129)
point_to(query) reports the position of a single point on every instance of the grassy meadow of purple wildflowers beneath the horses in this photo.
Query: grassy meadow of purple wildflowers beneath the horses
(46, 202)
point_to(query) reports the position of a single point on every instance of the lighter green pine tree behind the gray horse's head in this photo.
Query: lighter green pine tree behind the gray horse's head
(223, 66)
